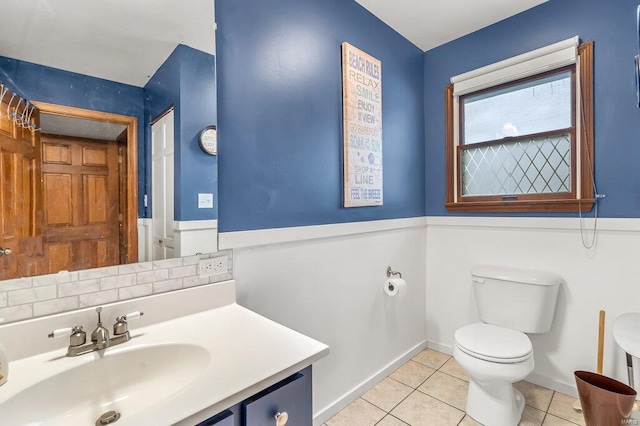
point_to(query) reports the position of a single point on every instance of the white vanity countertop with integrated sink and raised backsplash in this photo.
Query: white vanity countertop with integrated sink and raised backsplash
(181, 366)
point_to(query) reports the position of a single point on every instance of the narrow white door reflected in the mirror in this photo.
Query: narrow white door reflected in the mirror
(162, 166)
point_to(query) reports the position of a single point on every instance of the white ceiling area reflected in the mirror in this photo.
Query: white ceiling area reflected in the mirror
(119, 40)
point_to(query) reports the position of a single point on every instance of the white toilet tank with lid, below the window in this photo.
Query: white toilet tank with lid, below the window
(520, 299)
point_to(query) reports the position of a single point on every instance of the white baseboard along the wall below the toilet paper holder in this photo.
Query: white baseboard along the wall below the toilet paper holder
(332, 409)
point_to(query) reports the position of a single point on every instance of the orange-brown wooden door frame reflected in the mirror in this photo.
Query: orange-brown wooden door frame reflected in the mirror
(130, 234)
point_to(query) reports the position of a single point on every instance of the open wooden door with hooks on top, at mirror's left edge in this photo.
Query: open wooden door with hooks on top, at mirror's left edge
(20, 201)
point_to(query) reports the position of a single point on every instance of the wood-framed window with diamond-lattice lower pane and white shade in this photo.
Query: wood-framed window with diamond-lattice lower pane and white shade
(520, 139)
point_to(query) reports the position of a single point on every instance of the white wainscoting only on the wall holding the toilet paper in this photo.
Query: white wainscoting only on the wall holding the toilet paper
(327, 282)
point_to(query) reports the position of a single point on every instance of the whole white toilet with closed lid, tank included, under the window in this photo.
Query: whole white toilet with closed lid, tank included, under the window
(496, 353)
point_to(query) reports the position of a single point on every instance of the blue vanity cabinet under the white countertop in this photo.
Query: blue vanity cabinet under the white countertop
(291, 395)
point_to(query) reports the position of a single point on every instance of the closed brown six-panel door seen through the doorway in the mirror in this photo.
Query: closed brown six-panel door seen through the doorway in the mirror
(81, 202)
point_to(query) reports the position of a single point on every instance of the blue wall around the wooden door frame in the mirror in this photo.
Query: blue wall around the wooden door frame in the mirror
(40, 83)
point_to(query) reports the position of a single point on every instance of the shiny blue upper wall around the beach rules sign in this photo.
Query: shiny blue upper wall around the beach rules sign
(280, 113)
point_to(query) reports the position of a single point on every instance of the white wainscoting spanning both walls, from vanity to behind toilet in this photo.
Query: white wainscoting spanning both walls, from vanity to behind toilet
(325, 281)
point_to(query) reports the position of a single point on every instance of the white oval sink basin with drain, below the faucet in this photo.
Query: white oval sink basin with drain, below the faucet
(125, 379)
